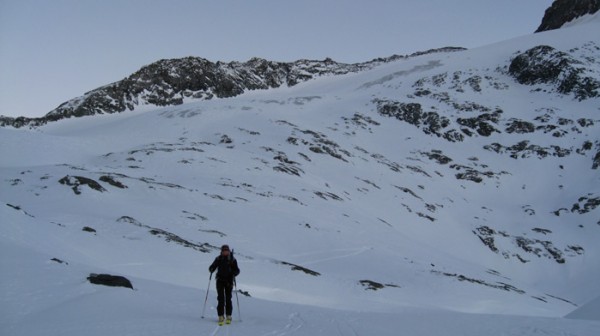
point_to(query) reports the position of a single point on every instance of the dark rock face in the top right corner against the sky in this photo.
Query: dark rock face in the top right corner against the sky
(563, 11)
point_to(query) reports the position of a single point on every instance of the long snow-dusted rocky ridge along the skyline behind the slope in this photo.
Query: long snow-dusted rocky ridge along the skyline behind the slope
(173, 81)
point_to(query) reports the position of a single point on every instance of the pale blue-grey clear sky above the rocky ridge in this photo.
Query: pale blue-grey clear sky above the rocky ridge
(55, 50)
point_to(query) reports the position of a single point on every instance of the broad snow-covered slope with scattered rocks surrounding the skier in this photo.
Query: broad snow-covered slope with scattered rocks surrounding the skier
(347, 216)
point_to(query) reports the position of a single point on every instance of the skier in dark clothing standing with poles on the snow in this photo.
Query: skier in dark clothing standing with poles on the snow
(227, 269)
